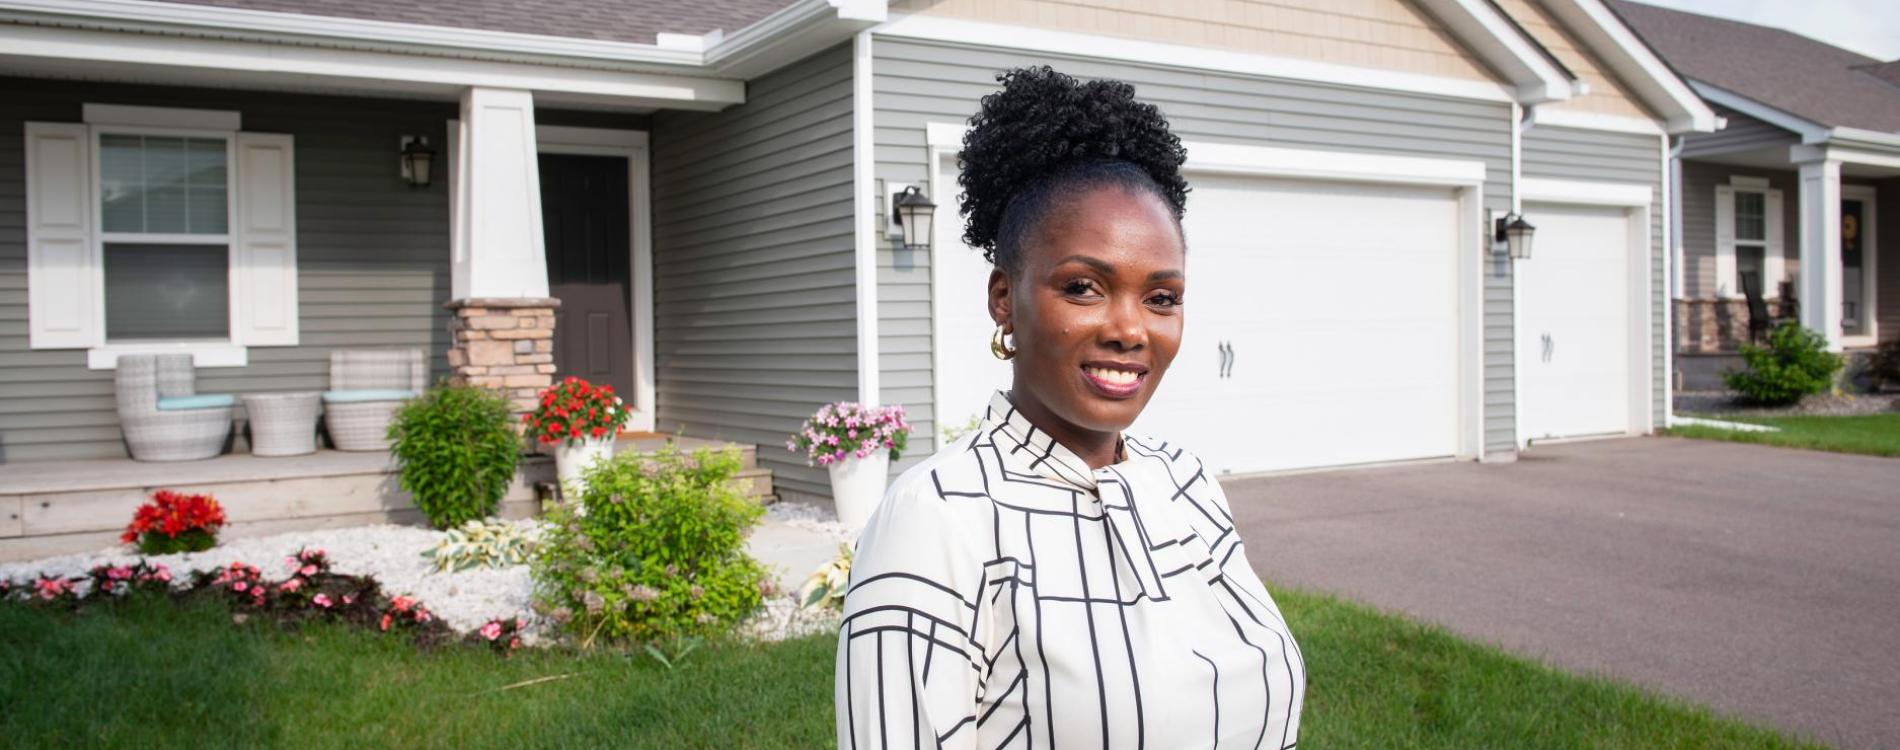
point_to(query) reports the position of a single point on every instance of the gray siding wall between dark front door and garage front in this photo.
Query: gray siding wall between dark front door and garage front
(755, 284)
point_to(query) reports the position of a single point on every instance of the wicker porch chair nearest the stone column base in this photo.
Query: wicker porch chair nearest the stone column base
(366, 390)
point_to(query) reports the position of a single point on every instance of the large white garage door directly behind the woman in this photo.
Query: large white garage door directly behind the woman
(1339, 305)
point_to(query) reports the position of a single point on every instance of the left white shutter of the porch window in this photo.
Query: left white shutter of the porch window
(64, 284)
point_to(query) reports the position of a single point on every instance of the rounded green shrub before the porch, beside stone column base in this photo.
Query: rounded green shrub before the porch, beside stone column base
(457, 447)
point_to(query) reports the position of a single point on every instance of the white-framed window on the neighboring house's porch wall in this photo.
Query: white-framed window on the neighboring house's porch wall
(1749, 238)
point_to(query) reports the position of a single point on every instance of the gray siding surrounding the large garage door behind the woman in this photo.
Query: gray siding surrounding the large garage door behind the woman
(921, 83)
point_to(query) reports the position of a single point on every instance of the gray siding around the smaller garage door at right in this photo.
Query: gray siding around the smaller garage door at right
(1605, 157)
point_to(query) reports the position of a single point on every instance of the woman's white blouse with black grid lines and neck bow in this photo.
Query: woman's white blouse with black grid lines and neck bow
(1008, 597)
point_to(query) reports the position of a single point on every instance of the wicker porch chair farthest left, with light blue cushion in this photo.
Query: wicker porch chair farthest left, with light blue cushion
(164, 417)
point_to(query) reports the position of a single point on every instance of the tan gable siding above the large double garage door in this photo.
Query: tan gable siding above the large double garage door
(1386, 35)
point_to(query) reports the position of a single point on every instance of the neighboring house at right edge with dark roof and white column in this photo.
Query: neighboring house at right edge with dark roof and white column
(1789, 198)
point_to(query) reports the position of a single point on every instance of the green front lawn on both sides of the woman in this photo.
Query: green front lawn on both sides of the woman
(183, 677)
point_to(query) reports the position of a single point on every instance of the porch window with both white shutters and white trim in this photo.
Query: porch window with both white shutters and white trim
(161, 231)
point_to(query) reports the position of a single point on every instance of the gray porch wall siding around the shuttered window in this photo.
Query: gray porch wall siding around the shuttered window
(373, 255)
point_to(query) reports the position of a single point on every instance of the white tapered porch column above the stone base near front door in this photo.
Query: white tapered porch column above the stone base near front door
(497, 236)
